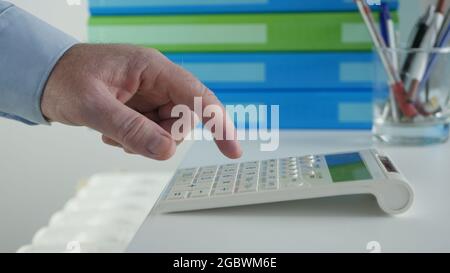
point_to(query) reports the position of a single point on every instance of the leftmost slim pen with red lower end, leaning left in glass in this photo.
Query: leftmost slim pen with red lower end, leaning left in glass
(396, 84)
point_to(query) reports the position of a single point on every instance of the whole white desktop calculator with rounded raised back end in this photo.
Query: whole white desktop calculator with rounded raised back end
(287, 179)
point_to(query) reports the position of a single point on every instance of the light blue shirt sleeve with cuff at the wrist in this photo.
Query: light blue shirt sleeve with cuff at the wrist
(29, 49)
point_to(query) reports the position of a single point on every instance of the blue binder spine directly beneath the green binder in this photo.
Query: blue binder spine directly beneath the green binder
(266, 71)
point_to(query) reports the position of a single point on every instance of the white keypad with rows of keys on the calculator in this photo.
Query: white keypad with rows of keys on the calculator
(247, 177)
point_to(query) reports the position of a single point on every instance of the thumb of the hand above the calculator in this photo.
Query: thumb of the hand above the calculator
(132, 130)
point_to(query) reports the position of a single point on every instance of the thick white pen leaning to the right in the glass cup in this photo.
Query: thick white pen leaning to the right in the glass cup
(420, 62)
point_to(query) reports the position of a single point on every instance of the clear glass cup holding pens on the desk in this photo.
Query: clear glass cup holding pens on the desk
(412, 104)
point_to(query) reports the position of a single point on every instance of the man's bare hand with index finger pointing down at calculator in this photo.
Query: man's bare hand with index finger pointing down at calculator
(127, 94)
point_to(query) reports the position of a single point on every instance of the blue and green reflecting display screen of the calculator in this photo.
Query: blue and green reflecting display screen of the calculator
(347, 167)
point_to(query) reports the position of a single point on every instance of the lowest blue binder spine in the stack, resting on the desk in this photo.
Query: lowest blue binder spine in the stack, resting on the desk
(306, 109)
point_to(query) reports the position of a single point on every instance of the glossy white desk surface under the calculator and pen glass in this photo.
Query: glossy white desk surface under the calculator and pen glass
(337, 224)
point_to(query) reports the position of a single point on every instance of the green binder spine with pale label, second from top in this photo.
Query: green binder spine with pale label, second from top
(236, 33)
